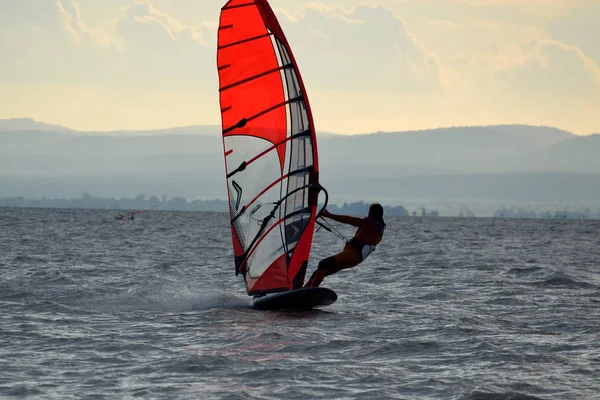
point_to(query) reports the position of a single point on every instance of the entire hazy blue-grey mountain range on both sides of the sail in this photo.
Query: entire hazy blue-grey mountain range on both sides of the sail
(504, 162)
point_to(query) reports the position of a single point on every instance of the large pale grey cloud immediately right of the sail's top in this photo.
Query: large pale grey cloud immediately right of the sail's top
(366, 48)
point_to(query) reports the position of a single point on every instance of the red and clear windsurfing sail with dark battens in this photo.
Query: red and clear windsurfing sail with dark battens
(270, 148)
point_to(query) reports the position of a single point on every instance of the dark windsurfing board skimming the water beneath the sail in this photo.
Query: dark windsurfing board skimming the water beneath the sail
(299, 299)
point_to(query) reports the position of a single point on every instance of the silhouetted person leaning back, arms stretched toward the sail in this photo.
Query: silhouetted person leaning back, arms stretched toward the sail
(369, 234)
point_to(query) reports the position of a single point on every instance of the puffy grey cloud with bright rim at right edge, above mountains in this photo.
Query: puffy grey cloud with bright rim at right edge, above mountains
(557, 85)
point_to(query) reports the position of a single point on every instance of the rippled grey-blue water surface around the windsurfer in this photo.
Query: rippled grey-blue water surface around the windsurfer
(446, 308)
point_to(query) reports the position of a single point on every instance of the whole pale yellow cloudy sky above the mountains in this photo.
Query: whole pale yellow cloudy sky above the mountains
(387, 65)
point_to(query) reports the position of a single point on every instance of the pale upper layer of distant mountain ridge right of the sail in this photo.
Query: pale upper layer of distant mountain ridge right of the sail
(459, 150)
